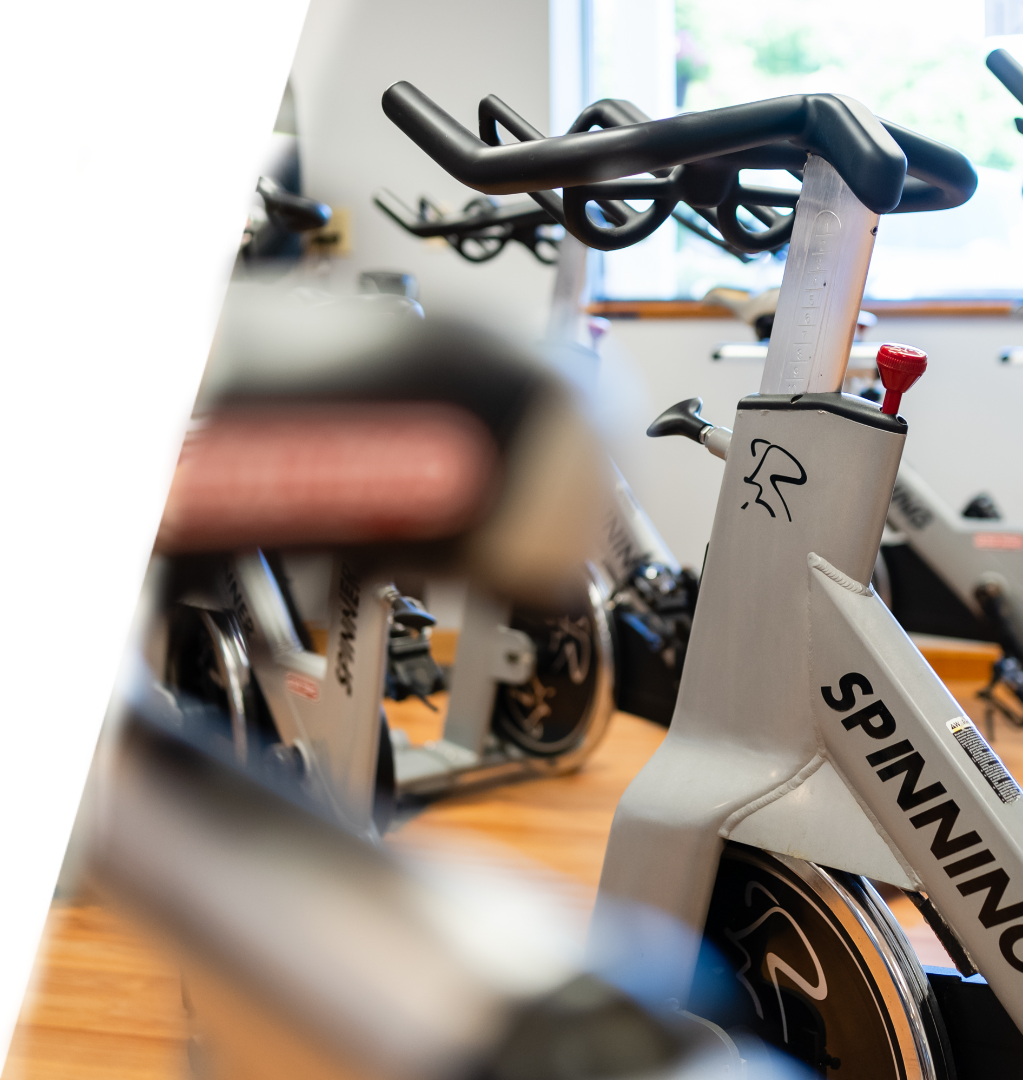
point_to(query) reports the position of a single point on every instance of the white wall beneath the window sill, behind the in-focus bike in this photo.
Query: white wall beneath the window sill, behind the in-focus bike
(966, 434)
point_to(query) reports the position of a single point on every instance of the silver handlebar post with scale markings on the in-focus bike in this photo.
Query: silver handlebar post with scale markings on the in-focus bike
(829, 256)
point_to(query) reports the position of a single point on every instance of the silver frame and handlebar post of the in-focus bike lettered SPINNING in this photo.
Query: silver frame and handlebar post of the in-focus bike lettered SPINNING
(807, 723)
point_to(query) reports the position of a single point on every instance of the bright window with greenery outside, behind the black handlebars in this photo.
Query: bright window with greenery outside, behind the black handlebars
(920, 63)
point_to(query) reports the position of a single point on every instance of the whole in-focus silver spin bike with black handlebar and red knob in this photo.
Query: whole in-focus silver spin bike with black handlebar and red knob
(813, 748)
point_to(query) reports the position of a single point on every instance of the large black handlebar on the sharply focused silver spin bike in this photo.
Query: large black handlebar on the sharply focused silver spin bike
(694, 157)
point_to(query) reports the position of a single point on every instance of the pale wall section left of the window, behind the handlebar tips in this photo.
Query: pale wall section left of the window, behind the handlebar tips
(456, 52)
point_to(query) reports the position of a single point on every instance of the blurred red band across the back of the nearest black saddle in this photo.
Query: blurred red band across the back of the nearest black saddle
(309, 475)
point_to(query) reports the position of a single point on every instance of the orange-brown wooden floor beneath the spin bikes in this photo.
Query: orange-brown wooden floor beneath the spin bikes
(105, 1004)
